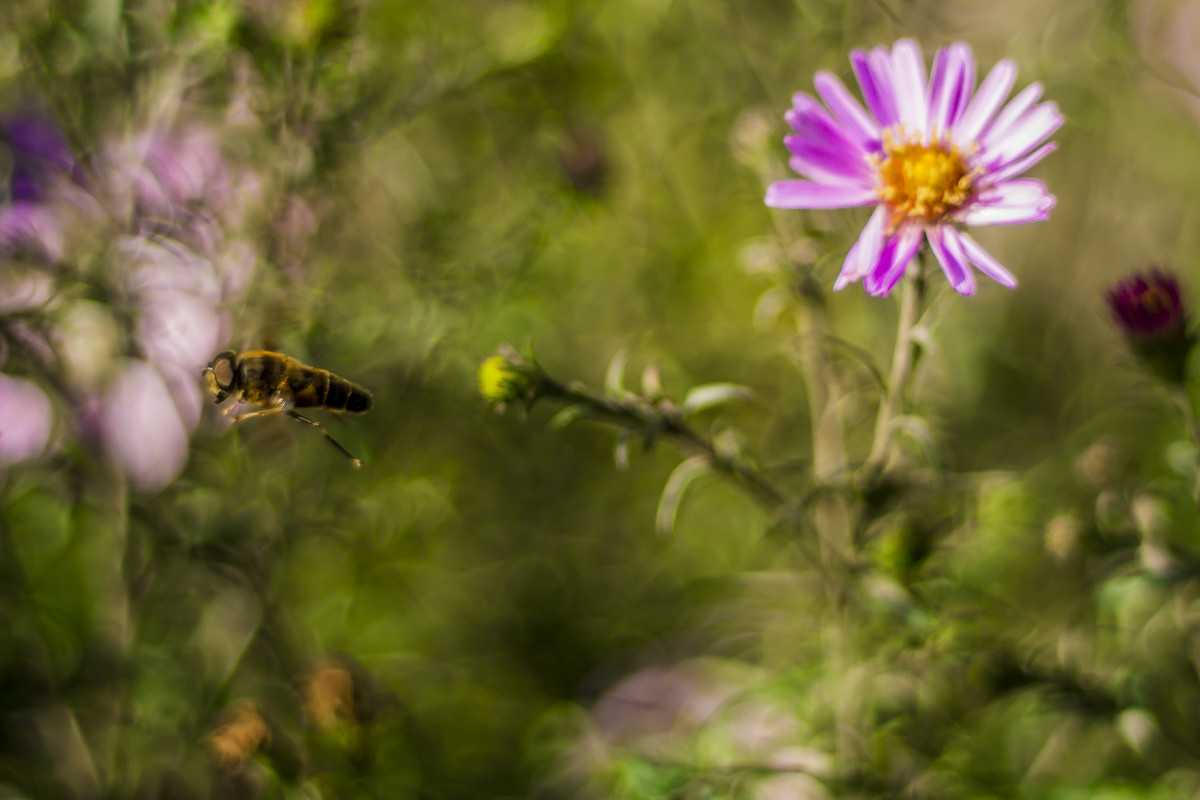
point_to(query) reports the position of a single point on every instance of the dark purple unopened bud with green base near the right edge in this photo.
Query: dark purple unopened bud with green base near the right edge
(1149, 311)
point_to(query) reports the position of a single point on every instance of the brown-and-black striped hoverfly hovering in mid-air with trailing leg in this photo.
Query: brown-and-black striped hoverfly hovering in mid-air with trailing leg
(279, 384)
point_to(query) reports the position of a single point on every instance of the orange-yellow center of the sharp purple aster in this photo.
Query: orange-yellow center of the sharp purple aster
(922, 182)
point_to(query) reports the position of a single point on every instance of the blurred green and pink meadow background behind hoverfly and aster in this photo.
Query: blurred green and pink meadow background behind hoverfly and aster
(488, 610)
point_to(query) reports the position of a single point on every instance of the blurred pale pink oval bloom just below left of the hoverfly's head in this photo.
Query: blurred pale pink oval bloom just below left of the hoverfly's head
(142, 429)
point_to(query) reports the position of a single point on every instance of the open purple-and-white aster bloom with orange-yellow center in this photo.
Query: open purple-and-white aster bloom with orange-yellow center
(931, 157)
